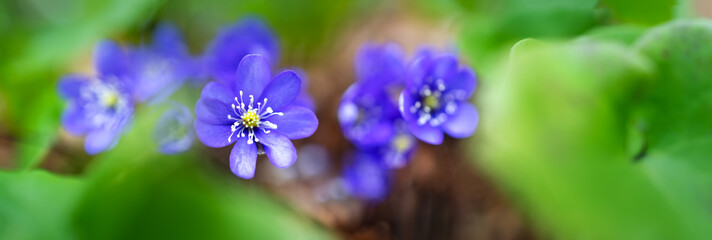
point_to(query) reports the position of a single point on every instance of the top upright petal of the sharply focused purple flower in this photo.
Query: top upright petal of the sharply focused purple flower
(253, 75)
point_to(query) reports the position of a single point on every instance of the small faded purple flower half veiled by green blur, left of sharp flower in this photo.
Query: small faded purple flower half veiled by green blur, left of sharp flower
(174, 130)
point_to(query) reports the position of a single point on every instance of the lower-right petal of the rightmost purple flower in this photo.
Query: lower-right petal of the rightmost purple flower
(463, 122)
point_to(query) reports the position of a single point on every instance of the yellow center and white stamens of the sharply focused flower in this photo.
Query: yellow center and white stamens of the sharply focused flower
(250, 118)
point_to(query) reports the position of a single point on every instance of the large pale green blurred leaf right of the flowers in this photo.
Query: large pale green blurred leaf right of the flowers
(559, 125)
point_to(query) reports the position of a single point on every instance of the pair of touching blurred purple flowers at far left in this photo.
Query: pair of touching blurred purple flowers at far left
(101, 106)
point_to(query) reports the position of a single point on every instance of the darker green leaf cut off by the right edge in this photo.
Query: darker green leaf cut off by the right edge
(677, 121)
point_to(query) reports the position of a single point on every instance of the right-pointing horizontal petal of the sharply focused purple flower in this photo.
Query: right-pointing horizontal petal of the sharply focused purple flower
(296, 123)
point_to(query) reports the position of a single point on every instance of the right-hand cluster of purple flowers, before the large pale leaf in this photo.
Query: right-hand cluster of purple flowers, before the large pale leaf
(392, 103)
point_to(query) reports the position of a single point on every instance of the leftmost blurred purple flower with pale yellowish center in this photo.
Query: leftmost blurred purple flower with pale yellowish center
(99, 107)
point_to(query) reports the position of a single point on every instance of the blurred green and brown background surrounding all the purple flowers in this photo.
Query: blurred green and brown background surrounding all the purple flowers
(595, 125)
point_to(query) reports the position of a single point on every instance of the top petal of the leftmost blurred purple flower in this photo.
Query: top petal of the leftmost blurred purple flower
(110, 59)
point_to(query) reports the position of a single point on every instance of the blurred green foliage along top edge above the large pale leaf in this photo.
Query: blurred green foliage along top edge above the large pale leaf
(489, 28)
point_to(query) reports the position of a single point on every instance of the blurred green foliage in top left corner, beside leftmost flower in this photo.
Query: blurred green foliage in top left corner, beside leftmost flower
(42, 37)
